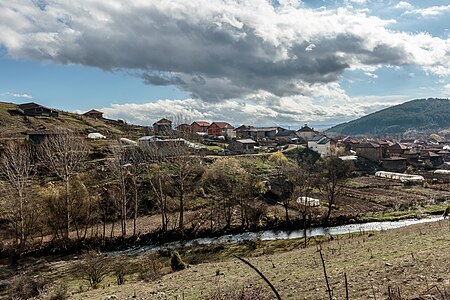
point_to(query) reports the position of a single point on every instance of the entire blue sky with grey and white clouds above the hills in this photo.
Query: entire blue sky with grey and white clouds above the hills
(262, 62)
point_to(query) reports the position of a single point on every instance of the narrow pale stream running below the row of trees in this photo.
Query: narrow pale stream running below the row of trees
(269, 235)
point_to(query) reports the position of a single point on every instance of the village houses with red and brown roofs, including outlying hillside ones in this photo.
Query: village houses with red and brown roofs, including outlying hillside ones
(392, 155)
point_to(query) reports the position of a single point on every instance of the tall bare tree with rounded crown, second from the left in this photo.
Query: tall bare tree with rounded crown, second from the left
(63, 154)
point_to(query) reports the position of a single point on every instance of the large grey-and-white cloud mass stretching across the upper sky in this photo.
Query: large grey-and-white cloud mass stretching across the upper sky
(216, 49)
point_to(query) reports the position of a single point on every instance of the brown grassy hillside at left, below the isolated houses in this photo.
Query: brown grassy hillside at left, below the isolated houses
(14, 125)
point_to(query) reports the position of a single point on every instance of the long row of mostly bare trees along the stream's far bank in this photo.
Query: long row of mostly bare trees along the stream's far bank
(52, 190)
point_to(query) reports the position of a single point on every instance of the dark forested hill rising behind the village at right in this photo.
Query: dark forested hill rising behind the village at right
(421, 115)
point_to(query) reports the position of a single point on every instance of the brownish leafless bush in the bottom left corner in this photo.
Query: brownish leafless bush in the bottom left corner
(24, 286)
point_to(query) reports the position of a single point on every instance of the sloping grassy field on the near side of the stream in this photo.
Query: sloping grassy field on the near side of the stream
(414, 259)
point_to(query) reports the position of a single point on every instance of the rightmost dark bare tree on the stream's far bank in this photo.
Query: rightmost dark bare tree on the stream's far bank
(335, 172)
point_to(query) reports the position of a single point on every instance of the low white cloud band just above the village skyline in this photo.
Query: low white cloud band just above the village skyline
(329, 106)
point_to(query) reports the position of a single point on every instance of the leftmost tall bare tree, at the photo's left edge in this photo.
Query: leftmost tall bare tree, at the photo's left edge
(16, 168)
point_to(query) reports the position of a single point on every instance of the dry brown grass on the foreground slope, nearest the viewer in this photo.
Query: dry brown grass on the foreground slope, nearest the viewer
(414, 259)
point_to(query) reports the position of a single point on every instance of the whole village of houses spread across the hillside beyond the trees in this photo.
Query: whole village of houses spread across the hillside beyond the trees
(221, 138)
